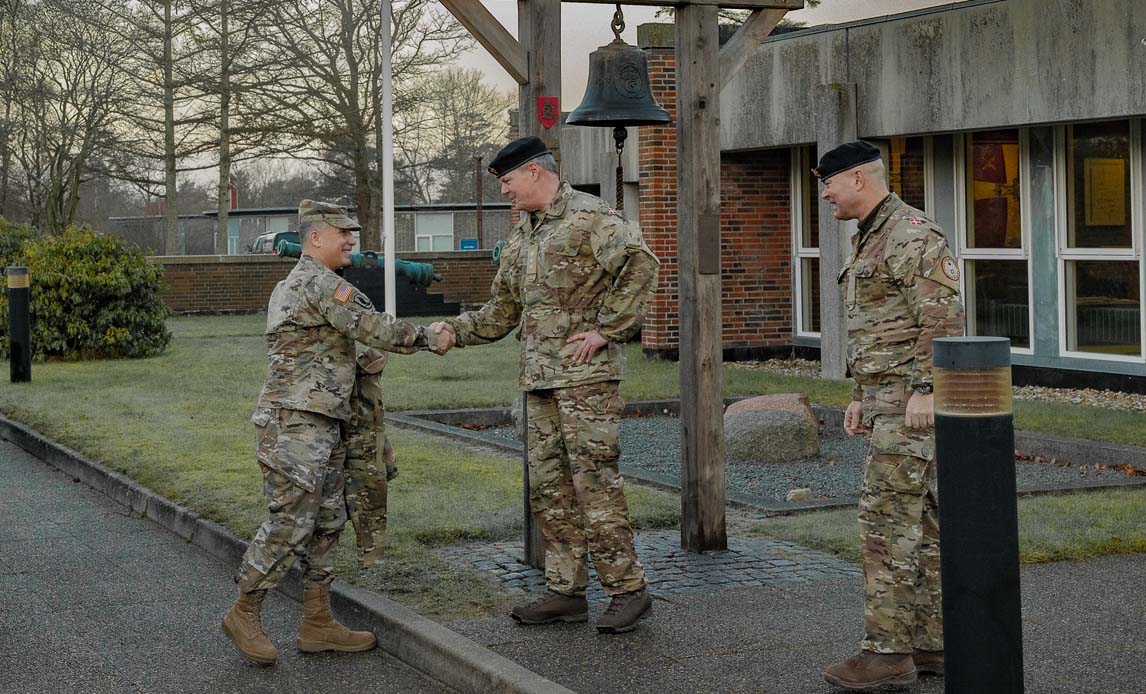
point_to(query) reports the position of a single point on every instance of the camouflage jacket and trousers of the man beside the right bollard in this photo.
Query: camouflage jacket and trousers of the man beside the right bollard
(901, 290)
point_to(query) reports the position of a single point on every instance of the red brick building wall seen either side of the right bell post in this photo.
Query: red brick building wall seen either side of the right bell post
(756, 232)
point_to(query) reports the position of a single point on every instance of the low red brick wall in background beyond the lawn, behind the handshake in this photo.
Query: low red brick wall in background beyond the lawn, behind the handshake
(244, 283)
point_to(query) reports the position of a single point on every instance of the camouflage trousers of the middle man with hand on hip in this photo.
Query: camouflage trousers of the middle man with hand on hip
(576, 492)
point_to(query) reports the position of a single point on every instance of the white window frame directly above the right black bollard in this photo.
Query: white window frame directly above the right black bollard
(966, 254)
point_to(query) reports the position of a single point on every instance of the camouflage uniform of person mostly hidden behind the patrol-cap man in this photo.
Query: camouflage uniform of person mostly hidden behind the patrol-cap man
(370, 459)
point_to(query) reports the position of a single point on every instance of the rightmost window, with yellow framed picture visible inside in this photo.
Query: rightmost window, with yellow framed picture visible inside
(1101, 241)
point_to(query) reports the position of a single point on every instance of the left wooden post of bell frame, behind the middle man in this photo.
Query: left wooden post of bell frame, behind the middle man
(539, 25)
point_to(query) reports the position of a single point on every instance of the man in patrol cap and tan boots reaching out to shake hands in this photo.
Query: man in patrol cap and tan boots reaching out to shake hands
(315, 320)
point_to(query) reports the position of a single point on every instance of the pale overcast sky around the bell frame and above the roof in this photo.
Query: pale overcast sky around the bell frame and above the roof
(586, 27)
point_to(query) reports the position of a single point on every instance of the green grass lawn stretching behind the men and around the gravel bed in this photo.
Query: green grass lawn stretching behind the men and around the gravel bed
(178, 423)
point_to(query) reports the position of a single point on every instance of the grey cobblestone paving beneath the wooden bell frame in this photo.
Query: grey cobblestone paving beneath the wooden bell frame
(669, 569)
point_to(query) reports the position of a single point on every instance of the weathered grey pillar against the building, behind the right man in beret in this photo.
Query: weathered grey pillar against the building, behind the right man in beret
(836, 124)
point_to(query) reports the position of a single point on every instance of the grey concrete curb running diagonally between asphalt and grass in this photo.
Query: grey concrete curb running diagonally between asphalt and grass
(420, 643)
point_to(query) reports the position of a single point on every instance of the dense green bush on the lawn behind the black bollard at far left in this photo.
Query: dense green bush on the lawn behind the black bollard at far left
(92, 298)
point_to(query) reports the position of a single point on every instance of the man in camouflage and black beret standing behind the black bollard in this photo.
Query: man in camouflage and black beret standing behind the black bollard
(901, 290)
